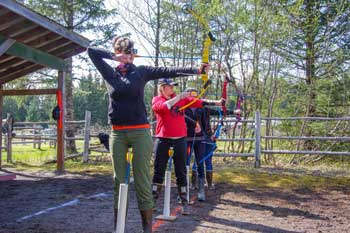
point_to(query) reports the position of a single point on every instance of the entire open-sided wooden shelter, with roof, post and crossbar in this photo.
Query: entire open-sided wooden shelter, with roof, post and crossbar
(29, 42)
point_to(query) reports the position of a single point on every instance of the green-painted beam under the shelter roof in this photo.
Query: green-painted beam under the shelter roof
(34, 55)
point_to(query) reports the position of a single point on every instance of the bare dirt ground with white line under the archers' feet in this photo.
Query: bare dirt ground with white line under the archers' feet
(46, 202)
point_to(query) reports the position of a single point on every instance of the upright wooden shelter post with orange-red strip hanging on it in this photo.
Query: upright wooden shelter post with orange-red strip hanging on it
(60, 123)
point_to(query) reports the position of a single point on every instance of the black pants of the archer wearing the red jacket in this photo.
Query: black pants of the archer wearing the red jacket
(162, 146)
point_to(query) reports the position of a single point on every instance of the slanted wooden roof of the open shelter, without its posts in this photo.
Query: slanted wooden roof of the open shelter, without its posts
(30, 41)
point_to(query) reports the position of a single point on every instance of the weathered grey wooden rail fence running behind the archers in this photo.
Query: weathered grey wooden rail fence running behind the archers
(256, 140)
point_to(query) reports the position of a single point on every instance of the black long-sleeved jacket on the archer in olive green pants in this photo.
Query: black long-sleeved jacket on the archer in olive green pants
(126, 92)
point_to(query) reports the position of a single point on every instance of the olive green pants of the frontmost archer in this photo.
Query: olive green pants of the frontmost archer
(140, 141)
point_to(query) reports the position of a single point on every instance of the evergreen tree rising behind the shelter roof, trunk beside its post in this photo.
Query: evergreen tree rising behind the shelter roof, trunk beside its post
(82, 16)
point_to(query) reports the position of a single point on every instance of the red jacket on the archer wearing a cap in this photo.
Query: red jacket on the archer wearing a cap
(171, 124)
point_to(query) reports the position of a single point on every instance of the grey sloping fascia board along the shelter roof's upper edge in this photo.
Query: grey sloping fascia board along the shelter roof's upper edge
(44, 22)
